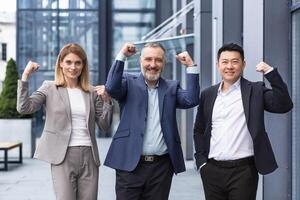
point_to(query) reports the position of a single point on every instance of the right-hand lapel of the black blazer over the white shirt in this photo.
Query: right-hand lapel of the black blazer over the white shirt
(246, 92)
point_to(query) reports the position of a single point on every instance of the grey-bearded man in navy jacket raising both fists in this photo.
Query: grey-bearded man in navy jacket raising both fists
(145, 150)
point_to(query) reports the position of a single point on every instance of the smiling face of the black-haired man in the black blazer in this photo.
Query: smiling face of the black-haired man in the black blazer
(230, 66)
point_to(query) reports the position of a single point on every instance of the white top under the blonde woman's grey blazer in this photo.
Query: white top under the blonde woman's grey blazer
(80, 135)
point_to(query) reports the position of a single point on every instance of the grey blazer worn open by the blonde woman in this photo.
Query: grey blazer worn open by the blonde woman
(54, 141)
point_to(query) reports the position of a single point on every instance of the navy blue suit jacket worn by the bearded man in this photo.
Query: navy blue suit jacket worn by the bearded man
(131, 93)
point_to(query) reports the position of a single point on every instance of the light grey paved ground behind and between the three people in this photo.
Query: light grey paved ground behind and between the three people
(32, 181)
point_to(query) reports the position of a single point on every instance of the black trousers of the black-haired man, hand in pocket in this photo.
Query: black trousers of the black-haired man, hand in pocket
(224, 181)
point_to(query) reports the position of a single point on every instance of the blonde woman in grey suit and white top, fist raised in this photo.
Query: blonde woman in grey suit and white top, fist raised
(72, 107)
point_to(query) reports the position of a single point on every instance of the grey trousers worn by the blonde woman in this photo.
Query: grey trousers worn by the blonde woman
(76, 178)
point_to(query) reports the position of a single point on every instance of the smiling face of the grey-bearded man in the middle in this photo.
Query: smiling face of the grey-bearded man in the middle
(152, 63)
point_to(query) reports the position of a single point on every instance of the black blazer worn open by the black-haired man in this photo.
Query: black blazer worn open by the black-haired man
(256, 98)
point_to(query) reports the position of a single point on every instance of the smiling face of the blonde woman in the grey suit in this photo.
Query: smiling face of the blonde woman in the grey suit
(71, 67)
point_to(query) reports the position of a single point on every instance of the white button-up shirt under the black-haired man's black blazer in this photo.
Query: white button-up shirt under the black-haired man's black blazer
(230, 137)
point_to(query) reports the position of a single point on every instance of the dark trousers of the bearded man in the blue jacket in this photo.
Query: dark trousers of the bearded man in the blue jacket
(151, 180)
